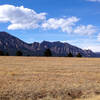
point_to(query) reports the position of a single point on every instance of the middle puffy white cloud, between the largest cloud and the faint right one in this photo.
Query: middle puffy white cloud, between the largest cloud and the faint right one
(65, 24)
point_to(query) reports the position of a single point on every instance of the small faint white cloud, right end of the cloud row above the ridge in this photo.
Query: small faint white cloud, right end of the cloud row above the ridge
(85, 30)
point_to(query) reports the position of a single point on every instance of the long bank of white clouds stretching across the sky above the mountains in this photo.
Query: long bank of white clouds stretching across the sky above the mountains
(25, 18)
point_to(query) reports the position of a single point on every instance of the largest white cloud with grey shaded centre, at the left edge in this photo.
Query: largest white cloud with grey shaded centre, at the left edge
(20, 17)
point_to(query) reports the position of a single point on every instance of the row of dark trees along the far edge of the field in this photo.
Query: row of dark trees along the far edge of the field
(47, 53)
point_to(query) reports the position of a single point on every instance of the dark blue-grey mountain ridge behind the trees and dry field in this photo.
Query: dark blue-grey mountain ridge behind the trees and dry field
(11, 44)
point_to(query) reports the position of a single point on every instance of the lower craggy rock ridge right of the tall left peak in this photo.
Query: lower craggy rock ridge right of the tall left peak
(60, 49)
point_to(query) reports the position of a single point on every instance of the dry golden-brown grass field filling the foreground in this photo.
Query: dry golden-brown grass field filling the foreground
(41, 78)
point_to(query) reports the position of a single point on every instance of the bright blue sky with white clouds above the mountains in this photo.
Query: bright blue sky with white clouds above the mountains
(74, 21)
